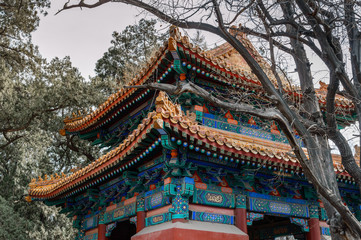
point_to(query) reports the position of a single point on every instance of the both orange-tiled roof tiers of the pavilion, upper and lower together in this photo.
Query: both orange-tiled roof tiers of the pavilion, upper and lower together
(221, 65)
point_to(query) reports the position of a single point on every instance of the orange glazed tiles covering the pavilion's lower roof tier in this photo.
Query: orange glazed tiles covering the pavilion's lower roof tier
(167, 112)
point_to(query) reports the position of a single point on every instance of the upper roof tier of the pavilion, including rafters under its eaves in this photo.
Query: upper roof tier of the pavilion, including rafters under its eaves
(222, 64)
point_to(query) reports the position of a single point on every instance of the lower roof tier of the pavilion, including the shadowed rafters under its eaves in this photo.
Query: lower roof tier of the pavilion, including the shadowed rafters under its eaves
(170, 116)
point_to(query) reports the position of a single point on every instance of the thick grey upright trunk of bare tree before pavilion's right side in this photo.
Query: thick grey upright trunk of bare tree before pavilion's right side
(320, 158)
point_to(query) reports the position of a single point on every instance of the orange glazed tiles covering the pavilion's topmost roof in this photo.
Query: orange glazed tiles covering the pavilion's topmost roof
(224, 58)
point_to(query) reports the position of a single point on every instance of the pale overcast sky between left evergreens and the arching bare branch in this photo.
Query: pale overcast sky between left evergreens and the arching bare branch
(84, 35)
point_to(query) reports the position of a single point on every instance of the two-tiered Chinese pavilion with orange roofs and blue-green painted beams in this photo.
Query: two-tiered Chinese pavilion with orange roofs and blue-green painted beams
(184, 169)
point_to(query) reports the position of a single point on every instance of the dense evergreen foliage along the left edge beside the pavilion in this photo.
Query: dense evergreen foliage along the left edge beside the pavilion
(35, 97)
